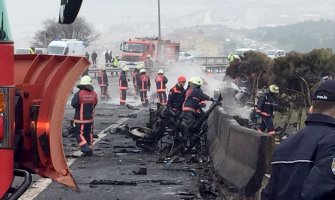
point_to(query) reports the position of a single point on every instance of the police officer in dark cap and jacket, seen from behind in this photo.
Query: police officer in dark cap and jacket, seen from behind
(303, 165)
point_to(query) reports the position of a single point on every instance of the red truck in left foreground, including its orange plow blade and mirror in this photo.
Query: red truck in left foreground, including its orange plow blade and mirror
(33, 94)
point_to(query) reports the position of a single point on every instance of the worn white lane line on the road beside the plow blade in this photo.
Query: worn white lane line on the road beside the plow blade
(42, 183)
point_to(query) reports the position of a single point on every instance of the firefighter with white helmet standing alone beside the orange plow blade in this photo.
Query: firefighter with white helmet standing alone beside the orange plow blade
(84, 102)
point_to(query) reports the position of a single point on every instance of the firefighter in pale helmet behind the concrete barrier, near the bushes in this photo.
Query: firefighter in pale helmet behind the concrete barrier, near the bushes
(266, 106)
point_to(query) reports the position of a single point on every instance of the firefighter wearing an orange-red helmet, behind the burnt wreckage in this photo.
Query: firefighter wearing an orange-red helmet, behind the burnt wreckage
(177, 96)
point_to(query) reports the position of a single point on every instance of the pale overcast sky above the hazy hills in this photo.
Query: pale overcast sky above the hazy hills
(133, 15)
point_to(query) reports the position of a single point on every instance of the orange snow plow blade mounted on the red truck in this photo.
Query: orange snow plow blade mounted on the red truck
(44, 83)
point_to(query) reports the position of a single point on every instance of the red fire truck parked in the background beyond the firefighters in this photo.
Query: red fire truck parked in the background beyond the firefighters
(137, 50)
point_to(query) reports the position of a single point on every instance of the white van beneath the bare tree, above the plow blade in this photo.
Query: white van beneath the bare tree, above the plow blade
(69, 47)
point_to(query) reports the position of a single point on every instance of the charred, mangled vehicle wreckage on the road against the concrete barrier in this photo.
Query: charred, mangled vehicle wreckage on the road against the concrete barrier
(165, 133)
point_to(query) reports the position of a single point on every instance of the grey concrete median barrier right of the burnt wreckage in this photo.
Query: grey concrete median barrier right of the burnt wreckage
(240, 155)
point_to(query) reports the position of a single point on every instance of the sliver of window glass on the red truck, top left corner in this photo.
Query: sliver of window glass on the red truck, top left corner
(5, 34)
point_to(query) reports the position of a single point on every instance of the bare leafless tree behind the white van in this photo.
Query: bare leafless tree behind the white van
(52, 30)
